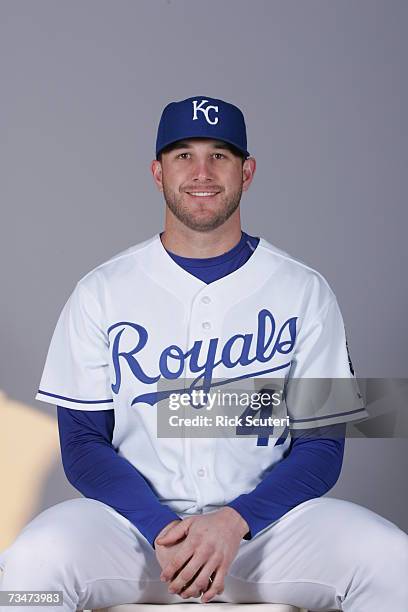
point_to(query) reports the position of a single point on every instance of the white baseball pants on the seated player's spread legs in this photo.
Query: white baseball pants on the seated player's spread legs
(325, 554)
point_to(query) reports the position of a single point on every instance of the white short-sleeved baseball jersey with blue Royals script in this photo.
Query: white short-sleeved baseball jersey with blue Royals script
(140, 319)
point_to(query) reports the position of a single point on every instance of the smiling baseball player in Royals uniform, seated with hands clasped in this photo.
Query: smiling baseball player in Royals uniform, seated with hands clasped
(195, 308)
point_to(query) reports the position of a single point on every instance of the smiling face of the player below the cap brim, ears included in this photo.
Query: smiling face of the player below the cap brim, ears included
(202, 181)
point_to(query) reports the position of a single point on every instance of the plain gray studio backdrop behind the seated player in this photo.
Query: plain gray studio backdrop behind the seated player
(323, 87)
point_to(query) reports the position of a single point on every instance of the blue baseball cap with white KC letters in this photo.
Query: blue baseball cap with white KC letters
(202, 117)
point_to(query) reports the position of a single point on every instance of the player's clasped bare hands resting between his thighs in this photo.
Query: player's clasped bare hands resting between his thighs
(195, 553)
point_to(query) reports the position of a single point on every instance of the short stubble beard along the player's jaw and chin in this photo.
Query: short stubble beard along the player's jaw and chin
(186, 215)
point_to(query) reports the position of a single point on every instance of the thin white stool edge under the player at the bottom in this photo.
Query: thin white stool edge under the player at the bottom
(193, 607)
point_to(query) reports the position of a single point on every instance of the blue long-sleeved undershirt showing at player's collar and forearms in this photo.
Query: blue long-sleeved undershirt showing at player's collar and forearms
(92, 465)
